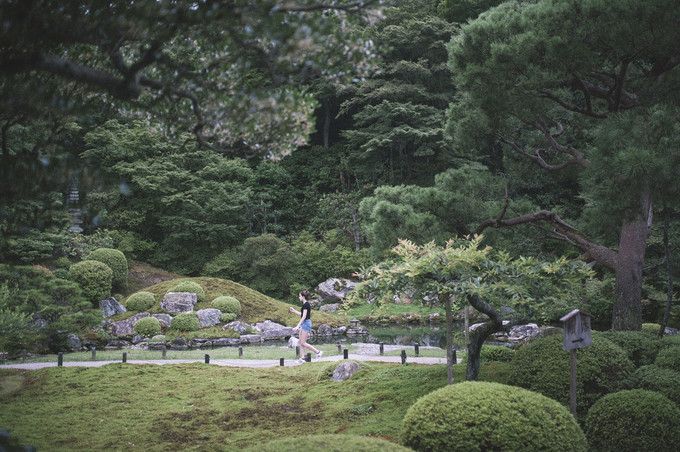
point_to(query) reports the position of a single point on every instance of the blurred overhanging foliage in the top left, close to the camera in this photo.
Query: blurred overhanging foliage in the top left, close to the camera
(230, 72)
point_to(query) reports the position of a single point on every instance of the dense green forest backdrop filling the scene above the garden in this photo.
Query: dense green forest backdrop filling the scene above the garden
(278, 145)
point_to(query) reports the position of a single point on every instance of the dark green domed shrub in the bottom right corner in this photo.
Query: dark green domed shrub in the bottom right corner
(633, 420)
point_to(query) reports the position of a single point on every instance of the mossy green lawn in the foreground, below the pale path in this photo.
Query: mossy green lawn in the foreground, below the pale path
(204, 407)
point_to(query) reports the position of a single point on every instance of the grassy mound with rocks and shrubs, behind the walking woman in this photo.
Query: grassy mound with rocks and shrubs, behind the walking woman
(255, 307)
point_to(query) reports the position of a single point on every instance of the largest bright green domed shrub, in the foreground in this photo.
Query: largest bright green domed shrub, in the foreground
(489, 416)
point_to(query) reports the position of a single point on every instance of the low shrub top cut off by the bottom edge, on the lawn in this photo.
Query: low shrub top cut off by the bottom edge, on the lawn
(328, 443)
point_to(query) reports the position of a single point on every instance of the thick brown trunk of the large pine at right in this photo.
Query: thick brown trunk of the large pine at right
(630, 260)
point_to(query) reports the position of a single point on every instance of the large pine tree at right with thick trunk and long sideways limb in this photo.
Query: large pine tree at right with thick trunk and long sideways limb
(586, 85)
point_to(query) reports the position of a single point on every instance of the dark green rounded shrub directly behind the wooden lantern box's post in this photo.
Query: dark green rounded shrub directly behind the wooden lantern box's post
(543, 366)
